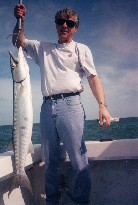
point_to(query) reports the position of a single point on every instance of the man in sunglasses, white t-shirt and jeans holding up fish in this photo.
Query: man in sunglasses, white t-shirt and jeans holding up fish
(62, 66)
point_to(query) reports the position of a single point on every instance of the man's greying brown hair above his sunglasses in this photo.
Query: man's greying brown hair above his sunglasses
(67, 13)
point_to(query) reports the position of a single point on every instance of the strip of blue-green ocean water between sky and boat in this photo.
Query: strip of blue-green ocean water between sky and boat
(126, 128)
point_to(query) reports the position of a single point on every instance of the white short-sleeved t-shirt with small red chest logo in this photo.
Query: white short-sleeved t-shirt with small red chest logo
(60, 67)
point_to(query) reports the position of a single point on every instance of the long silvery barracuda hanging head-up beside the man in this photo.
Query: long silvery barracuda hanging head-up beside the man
(22, 119)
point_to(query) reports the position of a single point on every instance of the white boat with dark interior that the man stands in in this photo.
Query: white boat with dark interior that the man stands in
(114, 174)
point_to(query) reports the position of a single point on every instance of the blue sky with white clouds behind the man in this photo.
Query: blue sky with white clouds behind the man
(108, 27)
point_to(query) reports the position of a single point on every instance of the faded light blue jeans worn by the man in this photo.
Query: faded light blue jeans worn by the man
(63, 120)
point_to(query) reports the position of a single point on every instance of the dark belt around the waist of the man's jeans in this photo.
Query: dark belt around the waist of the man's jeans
(59, 96)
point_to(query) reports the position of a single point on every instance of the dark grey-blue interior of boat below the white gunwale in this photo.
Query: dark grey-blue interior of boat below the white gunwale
(113, 183)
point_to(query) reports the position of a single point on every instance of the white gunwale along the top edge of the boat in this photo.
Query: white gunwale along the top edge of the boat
(96, 150)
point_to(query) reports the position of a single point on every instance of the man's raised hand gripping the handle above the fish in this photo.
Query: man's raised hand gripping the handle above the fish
(19, 11)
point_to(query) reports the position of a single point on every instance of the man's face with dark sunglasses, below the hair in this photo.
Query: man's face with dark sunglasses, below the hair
(66, 29)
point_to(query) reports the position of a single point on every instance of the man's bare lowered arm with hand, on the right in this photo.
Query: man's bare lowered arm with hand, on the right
(96, 87)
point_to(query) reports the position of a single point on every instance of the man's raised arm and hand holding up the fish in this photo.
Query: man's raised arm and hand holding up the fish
(18, 35)
